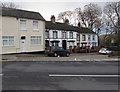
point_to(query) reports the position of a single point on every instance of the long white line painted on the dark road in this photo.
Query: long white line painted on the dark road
(70, 75)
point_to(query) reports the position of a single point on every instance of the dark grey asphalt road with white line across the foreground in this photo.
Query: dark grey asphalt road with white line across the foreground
(60, 75)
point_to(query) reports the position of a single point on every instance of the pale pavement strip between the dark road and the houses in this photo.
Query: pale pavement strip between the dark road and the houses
(72, 57)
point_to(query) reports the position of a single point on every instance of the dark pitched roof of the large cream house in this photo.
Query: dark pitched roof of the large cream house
(20, 13)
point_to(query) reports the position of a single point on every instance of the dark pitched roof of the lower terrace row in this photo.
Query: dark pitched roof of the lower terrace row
(66, 27)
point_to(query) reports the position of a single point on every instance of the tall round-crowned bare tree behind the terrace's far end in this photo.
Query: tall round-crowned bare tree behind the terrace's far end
(91, 14)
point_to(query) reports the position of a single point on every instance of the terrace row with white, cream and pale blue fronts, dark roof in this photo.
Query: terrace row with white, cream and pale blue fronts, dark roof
(65, 35)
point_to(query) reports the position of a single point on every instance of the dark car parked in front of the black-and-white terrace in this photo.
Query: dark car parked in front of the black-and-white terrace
(57, 51)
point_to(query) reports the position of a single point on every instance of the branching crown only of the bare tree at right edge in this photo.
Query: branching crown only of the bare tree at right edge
(112, 11)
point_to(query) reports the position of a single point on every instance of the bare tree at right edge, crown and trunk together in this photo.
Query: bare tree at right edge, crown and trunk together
(112, 12)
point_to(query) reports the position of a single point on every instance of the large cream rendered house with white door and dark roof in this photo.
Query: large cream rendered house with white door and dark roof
(21, 31)
